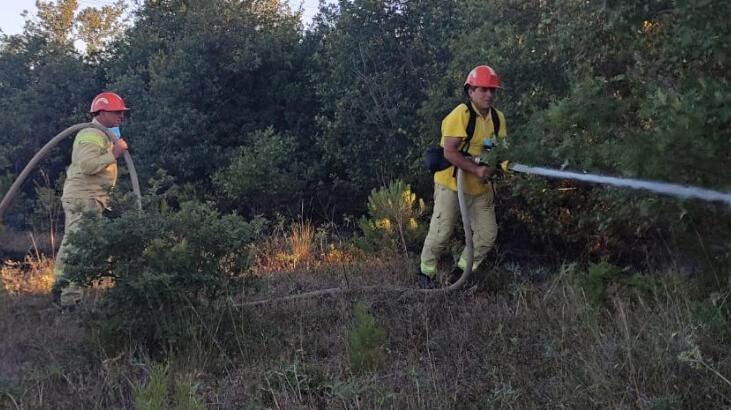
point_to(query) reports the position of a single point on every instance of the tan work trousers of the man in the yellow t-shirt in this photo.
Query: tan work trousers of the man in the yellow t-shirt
(481, 210)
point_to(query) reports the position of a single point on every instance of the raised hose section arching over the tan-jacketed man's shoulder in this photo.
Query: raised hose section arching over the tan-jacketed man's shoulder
(43, 152)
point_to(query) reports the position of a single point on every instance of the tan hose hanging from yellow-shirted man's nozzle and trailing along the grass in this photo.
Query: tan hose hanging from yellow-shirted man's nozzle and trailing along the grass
(404, 291)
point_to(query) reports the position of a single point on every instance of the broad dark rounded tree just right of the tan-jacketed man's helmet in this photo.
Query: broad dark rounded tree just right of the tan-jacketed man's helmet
(202, 76)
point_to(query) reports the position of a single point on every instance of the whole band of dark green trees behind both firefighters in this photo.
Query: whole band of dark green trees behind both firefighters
(242, 104)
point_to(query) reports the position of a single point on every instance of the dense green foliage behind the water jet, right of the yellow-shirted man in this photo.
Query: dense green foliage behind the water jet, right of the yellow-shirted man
(623, 89)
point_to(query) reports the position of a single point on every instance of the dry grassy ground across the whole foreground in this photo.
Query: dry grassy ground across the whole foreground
(518, 338)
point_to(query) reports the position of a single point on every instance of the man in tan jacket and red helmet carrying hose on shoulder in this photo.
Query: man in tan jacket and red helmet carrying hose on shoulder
(92, 172)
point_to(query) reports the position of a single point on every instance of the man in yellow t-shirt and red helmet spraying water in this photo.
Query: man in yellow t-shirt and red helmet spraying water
(480, 87)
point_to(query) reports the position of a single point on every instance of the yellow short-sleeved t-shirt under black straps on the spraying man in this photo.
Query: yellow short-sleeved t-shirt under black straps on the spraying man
(455, 125)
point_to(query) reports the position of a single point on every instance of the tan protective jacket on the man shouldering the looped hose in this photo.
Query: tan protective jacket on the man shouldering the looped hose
(93, 167)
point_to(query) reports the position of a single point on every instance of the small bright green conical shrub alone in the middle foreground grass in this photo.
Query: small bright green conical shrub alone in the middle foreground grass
(367, 341)
